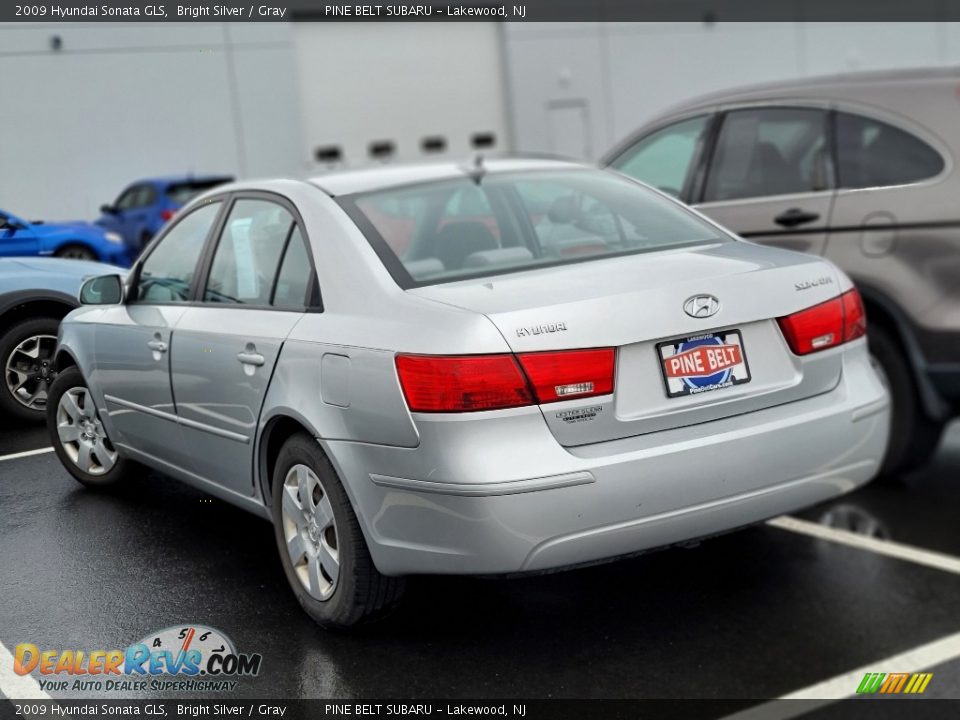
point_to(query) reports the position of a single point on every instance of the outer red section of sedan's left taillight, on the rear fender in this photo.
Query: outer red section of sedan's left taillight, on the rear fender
(458, 384)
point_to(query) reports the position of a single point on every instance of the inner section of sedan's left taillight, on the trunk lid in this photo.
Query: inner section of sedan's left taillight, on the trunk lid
(569, 374)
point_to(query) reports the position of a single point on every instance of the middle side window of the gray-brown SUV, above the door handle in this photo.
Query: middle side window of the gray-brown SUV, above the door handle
(769, 151)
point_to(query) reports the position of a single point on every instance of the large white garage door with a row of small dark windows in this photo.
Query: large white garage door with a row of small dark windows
(399, 83)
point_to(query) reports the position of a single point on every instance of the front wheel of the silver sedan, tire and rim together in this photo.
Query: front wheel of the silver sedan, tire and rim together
(77, 435)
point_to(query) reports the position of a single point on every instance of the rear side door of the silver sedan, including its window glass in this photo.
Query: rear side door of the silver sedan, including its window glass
(226, 346)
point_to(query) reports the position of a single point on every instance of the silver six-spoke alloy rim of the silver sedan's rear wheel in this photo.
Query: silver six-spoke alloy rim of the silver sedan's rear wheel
(310, 532)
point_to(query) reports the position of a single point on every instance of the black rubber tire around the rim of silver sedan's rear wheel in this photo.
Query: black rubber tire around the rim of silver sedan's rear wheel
(340, 609)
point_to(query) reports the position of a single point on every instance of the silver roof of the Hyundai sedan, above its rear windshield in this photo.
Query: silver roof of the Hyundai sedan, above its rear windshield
(355, 181)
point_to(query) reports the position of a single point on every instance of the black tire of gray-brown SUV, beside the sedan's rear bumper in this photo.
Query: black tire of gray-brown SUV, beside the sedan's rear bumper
(913, 436)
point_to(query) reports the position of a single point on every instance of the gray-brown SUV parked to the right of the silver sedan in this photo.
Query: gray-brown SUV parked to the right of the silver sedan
(858, 168)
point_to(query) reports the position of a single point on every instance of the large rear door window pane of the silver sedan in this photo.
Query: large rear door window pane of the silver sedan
(246, 258)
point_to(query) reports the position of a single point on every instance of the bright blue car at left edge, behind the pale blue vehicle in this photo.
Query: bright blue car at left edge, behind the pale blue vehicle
(73, 239)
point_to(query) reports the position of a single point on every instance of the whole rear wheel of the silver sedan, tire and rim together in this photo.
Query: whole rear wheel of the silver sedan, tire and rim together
(330, 569)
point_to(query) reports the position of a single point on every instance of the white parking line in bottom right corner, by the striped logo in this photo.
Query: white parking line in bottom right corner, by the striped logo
(918, 659)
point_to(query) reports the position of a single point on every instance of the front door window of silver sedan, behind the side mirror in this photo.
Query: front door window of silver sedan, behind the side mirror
(168, 271)
